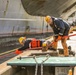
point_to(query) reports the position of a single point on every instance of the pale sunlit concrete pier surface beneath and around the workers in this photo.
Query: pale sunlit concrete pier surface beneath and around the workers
(7, 70)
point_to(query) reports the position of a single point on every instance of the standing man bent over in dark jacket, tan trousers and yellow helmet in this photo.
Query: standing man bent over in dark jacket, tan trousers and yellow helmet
(61, 29)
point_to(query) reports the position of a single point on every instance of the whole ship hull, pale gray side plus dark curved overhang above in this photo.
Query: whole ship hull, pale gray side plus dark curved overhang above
(21, 16)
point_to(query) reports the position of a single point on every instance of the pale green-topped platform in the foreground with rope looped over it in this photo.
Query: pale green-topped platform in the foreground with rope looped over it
(44, 65)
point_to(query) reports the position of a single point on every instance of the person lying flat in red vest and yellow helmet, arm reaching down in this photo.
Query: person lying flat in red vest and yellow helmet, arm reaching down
(28, 43)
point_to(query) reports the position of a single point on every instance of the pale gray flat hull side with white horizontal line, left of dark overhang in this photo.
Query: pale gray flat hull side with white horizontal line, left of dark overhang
(14, 19)
